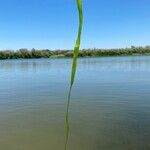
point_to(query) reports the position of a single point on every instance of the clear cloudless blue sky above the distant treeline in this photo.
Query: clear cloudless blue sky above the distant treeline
(52, 24)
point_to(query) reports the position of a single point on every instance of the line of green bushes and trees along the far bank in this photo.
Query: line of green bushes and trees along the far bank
(26, 54)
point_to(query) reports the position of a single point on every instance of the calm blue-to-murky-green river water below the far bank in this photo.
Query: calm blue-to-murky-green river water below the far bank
(110, 105)
